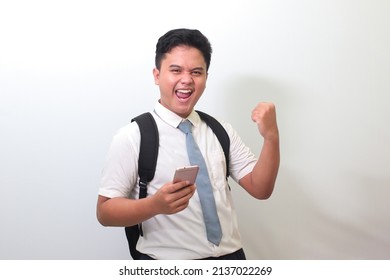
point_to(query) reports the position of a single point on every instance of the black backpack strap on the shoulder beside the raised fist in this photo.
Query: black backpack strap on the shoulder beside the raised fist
(221, 134)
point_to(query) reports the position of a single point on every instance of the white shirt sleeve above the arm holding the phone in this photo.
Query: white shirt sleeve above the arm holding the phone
(119, 173)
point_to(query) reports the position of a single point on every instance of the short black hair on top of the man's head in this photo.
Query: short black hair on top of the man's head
(183, 37)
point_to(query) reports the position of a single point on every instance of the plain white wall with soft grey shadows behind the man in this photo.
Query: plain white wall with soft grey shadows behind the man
(73, 72)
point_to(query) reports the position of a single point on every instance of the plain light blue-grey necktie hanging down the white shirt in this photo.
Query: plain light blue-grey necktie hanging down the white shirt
(205, 191)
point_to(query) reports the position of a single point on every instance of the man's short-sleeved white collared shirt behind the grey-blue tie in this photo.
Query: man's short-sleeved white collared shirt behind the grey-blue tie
(181, 235)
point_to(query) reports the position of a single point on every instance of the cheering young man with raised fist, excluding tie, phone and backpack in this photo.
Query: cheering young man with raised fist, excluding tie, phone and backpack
(171, 214)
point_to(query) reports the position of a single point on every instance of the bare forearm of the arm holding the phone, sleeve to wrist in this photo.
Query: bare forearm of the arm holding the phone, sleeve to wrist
(123, 211)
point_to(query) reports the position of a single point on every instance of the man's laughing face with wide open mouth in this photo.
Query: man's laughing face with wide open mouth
(182, 79)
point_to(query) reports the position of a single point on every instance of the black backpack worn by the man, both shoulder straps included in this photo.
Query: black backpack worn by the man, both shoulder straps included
(147, 161)
